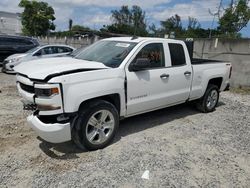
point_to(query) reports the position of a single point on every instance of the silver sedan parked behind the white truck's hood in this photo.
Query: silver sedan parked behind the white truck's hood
(43, 51)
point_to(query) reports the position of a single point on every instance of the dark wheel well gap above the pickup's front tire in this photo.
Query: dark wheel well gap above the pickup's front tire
(113, 99)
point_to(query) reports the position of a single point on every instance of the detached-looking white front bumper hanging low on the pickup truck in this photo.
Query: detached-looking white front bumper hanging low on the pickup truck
(51, 132)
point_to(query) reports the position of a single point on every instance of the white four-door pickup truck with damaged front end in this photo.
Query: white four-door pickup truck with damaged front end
(82, 98)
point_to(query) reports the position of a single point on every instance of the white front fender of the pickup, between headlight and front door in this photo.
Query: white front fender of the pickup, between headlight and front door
(80, 87)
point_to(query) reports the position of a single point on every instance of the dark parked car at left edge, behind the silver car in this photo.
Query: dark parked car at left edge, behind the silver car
(15, 44)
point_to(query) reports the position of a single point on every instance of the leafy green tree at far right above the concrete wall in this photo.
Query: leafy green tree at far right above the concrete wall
(234, 19)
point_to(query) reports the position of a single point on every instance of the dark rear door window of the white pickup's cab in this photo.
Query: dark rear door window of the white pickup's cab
(177, 54)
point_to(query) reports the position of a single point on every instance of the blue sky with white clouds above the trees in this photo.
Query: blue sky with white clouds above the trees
(96, 13)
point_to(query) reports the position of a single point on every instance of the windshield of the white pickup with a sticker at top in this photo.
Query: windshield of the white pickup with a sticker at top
(110, 53)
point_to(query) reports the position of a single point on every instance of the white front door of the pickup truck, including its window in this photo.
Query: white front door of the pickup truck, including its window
(146, 89)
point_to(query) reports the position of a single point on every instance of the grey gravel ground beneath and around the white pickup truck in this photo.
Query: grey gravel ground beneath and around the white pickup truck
(179, 146)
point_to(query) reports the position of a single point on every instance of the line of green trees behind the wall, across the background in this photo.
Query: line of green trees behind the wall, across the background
(38, 20)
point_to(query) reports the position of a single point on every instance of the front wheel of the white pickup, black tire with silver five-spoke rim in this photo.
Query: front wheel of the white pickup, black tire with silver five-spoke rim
(96, 125)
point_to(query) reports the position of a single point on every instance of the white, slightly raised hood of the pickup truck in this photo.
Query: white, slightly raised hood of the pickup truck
(50, 67)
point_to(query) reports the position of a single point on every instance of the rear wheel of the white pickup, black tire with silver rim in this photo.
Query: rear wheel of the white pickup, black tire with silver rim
(210, 99)
